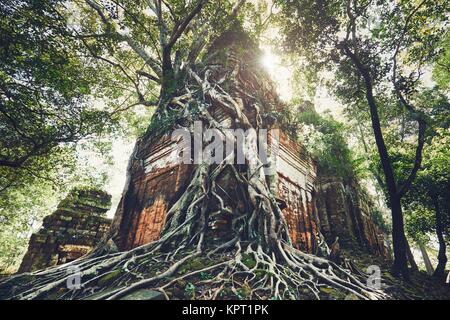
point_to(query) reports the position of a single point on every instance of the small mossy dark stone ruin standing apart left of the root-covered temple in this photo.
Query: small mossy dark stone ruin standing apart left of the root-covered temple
(74, 229)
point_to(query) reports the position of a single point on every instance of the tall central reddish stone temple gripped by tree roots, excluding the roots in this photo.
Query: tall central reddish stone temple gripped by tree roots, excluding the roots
(157, 180)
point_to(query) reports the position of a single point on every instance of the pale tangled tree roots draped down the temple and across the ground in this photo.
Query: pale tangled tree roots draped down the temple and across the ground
(259, 262)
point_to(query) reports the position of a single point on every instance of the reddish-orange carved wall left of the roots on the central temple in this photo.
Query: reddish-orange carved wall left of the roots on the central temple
(157, 181)
